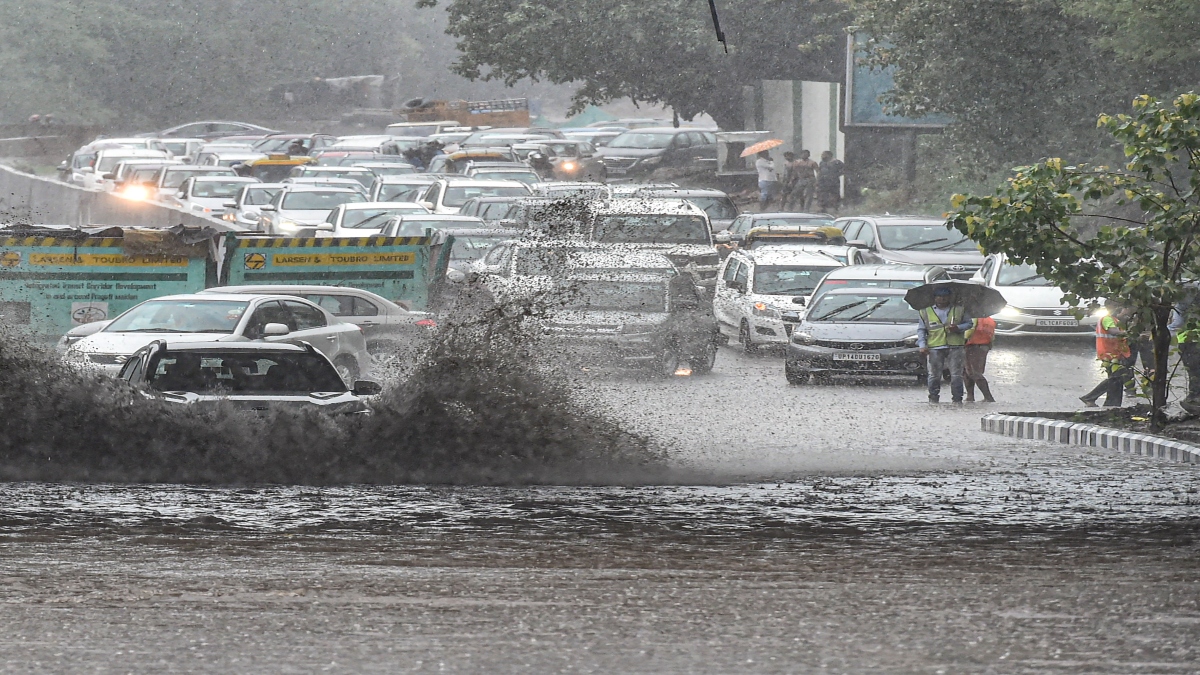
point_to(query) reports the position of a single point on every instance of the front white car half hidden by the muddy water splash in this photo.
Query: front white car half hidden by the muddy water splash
(248, 375)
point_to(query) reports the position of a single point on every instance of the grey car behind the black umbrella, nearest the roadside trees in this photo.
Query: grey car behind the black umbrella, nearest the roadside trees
(915, 241)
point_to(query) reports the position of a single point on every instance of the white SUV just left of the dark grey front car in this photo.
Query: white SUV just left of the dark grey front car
(761, 296)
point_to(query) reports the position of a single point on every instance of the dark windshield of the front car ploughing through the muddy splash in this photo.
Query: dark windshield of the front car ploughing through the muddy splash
(243, 373)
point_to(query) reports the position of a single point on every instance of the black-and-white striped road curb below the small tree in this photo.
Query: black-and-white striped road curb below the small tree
(1090, 437)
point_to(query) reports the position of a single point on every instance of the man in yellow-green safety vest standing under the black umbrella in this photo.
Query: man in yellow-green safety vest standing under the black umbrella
(941, 336)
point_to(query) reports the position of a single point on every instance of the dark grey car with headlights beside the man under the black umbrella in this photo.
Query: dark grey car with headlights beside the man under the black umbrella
(856, 332)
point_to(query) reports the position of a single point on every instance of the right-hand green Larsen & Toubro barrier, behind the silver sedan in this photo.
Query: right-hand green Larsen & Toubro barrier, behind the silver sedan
(399, 268)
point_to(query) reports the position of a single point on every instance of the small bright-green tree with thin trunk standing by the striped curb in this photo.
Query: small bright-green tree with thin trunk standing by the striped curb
(1129, 234)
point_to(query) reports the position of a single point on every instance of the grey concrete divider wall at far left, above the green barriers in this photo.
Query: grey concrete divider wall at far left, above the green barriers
(37, 200)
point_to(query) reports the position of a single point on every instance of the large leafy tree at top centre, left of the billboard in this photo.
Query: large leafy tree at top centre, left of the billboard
(663, 52)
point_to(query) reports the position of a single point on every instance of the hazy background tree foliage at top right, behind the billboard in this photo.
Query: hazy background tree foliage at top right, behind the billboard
(1021, 77)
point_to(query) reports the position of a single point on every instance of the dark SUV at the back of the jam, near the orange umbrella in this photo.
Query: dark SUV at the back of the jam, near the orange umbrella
(641, 151)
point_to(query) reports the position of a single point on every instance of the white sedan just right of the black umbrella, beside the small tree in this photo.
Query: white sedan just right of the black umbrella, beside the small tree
(1035, 306)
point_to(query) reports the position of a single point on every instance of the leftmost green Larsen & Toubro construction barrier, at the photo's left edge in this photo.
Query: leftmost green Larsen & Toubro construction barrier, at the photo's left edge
(50, 285)
